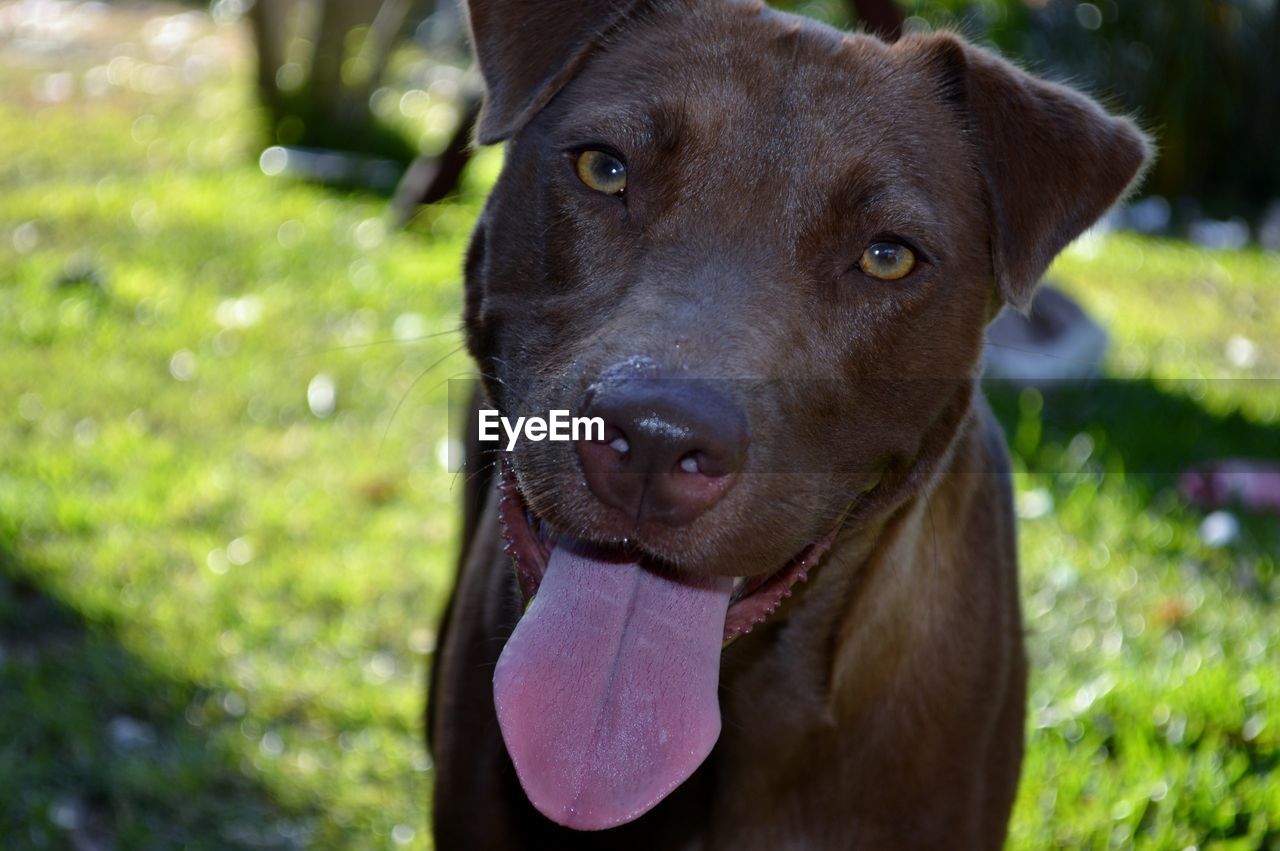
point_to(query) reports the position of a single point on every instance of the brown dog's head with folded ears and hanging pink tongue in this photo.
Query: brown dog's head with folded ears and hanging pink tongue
(764, 253)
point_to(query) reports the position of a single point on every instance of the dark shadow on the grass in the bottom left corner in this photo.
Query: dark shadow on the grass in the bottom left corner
(99, 752)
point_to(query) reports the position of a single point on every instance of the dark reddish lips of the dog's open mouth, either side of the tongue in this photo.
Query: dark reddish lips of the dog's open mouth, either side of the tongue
(531, 542)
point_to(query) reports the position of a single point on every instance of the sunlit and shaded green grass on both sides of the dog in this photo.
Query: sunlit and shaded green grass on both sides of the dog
(217, 607)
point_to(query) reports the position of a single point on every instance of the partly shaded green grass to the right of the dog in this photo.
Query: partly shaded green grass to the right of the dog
(1156, 688)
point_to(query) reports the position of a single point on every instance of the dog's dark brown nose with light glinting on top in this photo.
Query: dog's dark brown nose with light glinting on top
(671, 449)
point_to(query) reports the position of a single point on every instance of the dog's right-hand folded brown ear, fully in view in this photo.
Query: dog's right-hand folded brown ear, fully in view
(1053, 162)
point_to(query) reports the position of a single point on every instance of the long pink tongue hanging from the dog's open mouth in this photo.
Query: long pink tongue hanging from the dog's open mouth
(606, 692)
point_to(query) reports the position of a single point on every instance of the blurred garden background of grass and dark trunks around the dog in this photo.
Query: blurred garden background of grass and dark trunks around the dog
(231, 248)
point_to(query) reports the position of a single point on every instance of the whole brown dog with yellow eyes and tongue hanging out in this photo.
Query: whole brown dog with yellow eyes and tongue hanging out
(775, 605)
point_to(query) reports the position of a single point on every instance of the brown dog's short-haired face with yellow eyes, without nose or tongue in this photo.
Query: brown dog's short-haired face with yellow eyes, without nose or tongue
(799, 217)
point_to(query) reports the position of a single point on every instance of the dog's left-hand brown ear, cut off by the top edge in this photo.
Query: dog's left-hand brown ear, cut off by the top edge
(529, 51)
